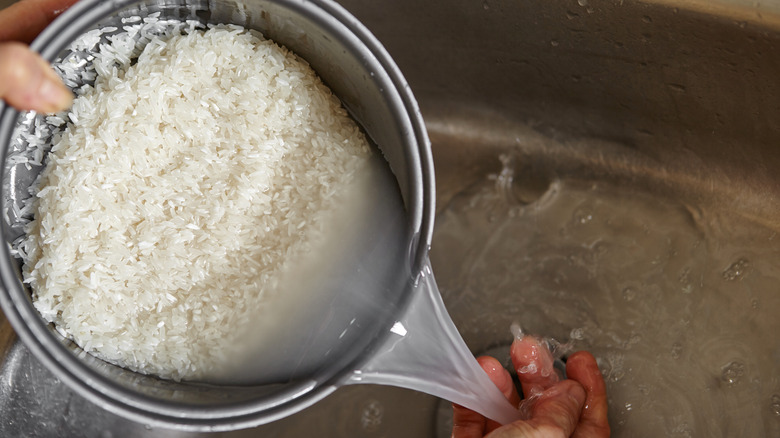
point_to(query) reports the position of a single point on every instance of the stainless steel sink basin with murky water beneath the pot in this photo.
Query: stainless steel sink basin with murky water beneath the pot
(607, 176)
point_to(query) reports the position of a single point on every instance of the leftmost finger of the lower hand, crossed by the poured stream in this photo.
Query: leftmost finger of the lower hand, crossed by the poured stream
(467, 423)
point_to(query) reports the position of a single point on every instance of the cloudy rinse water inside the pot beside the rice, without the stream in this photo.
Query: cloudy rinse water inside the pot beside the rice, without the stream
(343, 289)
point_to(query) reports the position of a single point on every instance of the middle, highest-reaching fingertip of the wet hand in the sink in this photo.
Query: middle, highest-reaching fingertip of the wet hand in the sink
(534, 364)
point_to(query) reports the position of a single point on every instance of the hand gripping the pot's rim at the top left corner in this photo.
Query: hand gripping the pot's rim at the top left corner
(27, 82)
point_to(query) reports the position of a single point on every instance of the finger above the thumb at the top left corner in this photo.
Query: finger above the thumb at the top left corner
(24, 20)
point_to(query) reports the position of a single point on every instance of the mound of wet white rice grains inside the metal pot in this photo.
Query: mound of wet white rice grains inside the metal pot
(180, 188)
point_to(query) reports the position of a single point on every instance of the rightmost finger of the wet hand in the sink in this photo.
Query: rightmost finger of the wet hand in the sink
(582, 367)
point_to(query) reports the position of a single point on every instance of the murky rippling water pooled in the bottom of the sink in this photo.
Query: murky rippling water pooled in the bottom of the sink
(678, 304)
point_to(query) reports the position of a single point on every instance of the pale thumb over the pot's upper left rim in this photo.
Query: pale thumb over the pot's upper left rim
(27, 82)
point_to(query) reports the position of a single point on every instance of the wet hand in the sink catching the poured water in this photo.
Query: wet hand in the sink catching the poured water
(575, 407)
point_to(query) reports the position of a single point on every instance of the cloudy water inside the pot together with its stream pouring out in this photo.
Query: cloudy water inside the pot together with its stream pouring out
(349, 277)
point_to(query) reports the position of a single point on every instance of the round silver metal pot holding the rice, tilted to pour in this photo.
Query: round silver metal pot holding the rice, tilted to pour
(359, 71)
